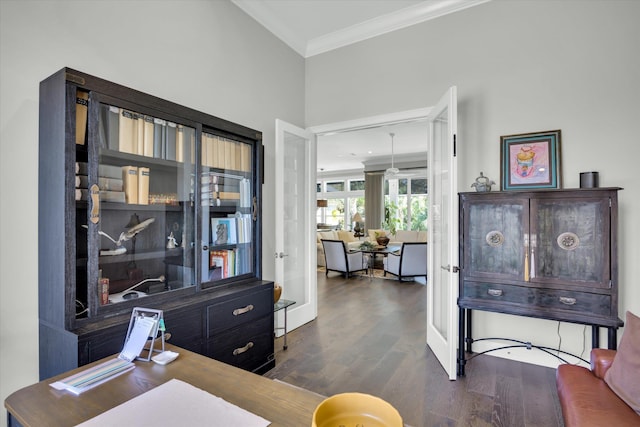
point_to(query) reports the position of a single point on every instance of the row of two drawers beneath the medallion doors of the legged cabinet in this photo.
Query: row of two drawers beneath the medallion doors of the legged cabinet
(537, 299)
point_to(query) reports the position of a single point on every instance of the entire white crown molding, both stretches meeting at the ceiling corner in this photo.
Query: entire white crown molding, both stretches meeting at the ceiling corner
(424, 11)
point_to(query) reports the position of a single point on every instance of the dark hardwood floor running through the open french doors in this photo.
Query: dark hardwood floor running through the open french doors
(369, 337)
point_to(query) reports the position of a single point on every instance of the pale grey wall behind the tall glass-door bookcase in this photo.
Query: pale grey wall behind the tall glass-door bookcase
(207, 55)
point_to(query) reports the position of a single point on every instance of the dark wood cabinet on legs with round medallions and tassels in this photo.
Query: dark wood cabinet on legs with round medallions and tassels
(548, 254)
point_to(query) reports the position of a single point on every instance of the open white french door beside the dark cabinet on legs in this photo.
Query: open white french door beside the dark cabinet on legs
(442, 285)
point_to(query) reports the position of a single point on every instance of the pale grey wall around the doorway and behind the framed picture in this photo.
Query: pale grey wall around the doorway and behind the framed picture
(520, 66)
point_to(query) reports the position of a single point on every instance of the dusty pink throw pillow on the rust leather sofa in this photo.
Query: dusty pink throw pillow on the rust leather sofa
(623, 377)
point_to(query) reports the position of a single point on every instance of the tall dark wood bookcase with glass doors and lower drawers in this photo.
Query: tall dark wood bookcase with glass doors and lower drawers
(144, 203)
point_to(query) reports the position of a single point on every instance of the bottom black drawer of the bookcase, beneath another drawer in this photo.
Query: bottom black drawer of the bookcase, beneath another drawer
(248, 347)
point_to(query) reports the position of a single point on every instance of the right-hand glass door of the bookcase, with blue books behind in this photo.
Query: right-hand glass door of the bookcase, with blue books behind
(227, 200)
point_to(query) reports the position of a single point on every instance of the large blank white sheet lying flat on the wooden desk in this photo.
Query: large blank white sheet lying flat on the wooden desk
(176, 403)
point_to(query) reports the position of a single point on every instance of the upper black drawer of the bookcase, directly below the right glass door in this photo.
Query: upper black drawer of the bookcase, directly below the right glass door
(235, 312)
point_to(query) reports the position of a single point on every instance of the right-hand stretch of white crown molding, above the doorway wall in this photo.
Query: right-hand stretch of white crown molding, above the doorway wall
(403, 18)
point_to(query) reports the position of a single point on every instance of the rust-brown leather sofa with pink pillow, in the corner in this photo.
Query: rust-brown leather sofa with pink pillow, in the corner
(608, 394)
